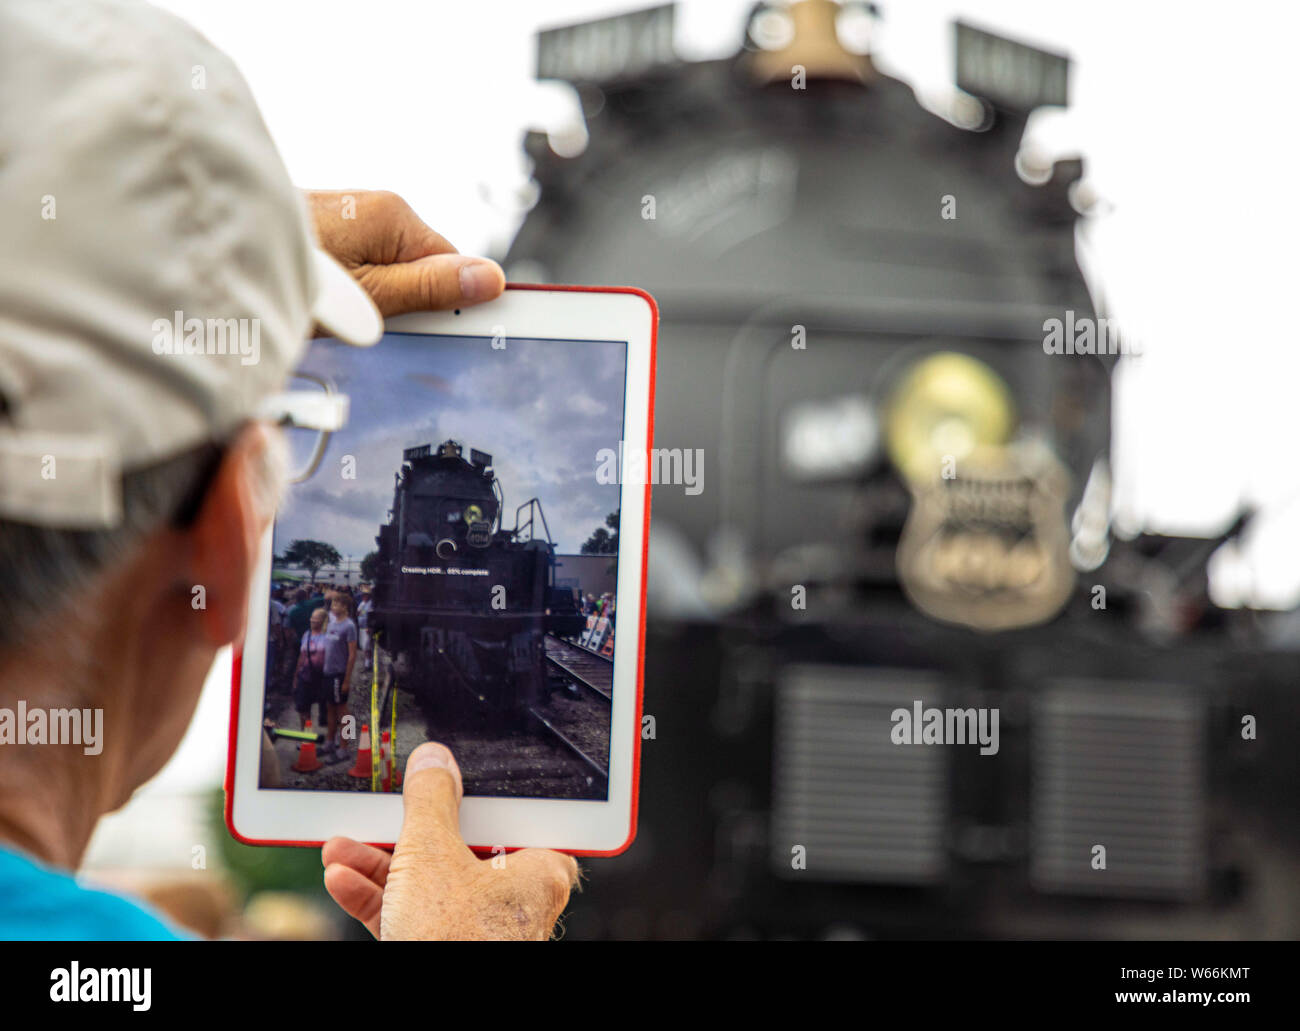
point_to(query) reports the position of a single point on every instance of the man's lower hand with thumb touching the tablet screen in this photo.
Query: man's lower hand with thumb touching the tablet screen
(434, 886)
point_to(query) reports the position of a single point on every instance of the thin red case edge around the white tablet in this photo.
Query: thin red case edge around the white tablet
(642, 630)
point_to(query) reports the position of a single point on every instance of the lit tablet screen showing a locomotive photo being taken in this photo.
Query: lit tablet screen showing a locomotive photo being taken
(448, 571)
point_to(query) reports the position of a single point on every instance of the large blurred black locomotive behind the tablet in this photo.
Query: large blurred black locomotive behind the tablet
(856, 289)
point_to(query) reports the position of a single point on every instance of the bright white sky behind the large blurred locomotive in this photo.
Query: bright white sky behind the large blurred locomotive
(1184, 112)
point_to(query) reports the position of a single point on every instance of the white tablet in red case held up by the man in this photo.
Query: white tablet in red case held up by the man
(461, 558)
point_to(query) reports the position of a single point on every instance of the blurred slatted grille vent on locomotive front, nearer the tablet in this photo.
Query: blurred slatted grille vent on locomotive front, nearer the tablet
(863, 808)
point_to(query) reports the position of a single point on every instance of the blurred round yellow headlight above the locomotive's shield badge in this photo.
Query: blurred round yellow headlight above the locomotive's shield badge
(947, 406)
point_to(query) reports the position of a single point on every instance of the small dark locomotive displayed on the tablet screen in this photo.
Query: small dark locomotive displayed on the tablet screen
(460, 601)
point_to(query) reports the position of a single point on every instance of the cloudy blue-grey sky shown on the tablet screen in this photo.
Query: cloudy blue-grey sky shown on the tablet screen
(541, 409)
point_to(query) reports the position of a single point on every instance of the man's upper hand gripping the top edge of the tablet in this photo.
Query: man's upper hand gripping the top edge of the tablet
(401, 263)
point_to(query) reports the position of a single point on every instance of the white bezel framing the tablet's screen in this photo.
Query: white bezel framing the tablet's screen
(583, 828)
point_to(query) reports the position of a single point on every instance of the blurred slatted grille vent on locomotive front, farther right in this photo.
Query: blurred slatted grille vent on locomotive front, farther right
(1125, 770)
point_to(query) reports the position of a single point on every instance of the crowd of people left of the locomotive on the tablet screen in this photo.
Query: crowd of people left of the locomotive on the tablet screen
(317, 636)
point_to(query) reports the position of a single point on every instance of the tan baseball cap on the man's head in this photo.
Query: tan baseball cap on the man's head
(159, 279)
